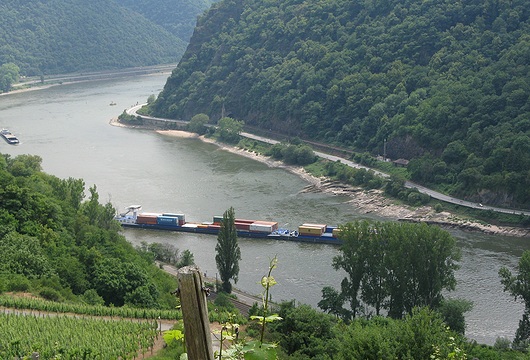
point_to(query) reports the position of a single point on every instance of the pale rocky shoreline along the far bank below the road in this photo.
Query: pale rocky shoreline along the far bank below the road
(365, 201)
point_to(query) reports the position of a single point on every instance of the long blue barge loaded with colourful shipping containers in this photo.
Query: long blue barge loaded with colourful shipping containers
(312, 233)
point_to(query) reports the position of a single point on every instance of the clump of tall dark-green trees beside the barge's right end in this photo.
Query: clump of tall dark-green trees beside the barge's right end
(395, 266)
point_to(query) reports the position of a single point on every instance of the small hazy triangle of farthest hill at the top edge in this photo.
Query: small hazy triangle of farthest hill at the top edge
(176, 16)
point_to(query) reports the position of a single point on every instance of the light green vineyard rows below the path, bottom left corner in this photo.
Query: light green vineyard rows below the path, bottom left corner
(60, 337)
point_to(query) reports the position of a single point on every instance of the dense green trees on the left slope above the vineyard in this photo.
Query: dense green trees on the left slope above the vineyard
(62, 247)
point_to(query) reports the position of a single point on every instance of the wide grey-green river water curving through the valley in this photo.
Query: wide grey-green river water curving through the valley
(68, 126)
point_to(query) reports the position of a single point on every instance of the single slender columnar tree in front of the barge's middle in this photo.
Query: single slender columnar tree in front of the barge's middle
(228, 252)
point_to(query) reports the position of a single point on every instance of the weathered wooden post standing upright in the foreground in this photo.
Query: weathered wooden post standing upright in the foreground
(195, 314)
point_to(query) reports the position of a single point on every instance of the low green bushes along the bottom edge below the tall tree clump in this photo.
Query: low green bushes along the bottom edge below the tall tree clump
(304, 333)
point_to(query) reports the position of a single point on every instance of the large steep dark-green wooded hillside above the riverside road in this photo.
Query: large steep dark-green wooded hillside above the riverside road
(445, 83)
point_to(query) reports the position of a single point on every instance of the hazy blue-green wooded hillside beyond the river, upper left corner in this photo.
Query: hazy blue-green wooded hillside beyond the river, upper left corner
(63, 36)
